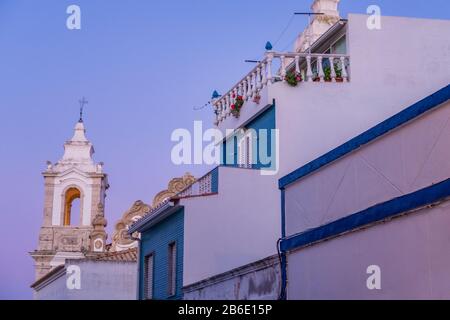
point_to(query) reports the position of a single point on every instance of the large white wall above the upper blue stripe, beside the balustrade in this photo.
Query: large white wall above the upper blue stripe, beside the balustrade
(392, 68)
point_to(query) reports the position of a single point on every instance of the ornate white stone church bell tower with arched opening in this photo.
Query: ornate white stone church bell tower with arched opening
(75, 191)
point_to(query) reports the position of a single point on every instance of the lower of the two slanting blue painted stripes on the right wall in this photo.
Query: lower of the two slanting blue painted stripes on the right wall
(377, 213)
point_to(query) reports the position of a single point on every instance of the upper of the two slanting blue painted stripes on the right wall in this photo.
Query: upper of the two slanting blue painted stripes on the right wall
(379, 130)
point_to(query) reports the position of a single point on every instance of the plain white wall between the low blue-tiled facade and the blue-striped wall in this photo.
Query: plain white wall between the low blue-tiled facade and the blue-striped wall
(239, 226)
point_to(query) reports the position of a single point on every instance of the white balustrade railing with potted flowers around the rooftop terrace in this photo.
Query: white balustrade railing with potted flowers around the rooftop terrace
(311, 67)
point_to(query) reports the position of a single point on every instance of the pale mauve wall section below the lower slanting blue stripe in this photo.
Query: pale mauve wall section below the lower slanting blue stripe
(411, 251)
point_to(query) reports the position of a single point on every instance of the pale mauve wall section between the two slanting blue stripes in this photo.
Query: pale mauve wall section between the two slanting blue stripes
(408, 159)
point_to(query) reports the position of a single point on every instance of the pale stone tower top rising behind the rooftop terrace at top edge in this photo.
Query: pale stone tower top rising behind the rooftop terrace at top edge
(319, 23)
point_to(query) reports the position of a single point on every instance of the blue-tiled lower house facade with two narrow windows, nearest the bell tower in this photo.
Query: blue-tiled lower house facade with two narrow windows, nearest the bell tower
(156, 241)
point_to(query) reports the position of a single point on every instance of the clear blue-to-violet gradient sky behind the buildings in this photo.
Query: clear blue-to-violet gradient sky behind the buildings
(143, 65)
